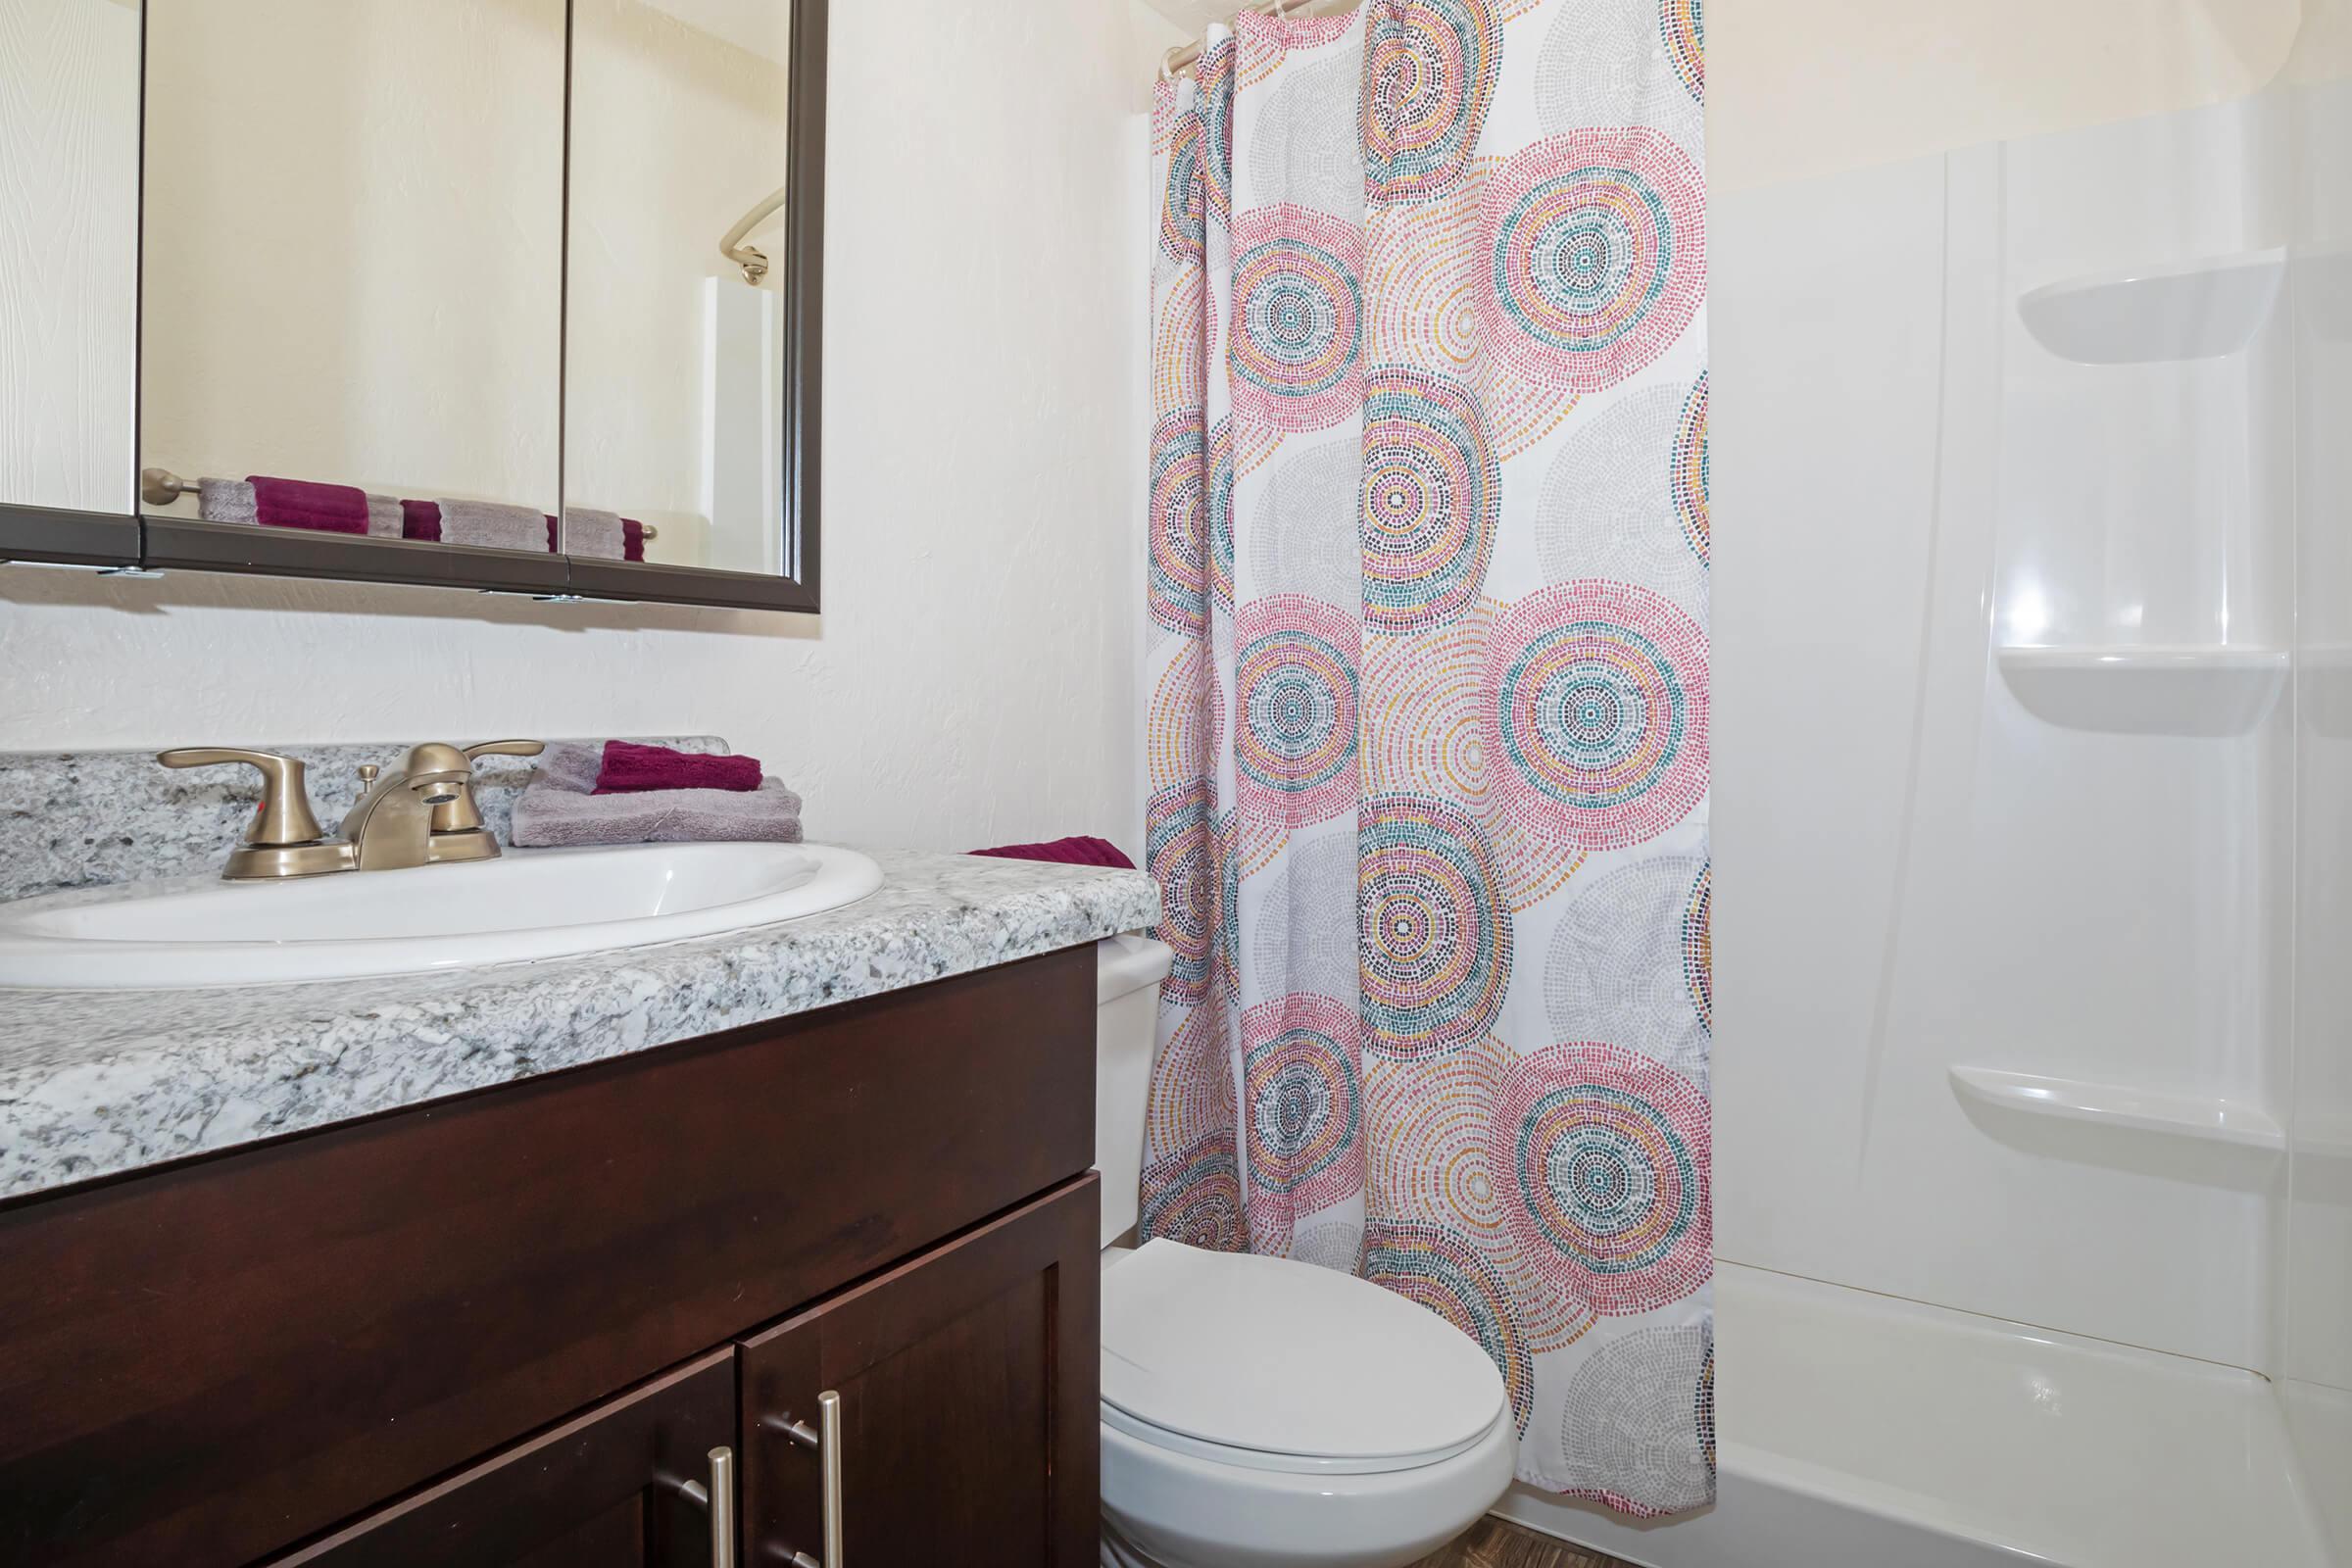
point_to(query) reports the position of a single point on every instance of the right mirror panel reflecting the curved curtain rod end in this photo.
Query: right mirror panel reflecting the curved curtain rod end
(674, 403)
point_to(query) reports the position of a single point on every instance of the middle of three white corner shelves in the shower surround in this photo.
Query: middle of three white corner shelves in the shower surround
(2207, 690)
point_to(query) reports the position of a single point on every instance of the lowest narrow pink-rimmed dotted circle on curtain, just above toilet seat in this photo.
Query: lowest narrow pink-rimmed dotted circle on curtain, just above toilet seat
(1302, 1099)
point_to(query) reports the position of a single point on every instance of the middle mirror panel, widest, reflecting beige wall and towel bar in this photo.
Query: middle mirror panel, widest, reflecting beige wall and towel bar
(354, 232)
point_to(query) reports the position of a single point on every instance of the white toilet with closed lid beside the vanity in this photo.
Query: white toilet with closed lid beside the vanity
(1259, 1412)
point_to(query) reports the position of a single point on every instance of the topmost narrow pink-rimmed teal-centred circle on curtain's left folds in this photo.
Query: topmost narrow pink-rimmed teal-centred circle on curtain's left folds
(1297, 319)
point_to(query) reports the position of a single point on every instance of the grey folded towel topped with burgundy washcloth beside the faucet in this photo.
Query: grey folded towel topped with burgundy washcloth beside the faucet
(606, 796)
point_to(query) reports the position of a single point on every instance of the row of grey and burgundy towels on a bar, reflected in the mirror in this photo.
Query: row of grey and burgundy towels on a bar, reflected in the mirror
(488, 525)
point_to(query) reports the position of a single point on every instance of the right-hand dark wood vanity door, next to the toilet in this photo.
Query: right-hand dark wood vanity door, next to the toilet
(968, 1412)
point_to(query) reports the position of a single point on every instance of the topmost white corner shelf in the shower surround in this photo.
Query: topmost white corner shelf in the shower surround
(2179, 311)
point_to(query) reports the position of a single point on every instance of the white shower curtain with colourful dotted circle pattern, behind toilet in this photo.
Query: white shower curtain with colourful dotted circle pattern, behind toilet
(1429, 692)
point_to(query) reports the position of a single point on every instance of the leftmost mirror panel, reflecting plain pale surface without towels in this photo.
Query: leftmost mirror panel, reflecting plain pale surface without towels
(69, 253)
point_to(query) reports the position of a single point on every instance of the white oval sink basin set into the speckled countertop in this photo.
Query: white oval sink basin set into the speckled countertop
(533, 904)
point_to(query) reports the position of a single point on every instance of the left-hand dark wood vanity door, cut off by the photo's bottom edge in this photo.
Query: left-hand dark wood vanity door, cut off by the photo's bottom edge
(606, 1489)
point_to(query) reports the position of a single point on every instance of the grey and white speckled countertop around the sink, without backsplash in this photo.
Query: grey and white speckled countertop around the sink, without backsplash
(105, 1083)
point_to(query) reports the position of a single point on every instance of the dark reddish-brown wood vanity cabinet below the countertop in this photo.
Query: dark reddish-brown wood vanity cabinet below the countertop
(509, 1329)
